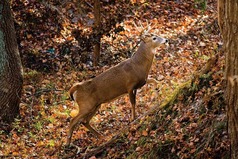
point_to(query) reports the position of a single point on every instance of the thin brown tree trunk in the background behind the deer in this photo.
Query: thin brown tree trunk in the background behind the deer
(97, 25)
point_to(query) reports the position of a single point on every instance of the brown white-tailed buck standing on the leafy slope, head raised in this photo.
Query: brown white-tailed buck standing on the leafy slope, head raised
(123, 78)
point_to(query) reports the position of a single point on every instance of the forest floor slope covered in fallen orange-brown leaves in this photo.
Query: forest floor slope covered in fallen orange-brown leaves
(193, 125)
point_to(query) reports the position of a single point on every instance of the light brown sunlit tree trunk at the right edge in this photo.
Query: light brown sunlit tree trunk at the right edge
(228, 22)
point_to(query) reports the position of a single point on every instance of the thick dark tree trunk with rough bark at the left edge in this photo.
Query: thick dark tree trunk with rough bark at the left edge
(11, 79)
